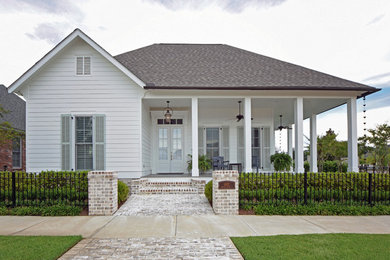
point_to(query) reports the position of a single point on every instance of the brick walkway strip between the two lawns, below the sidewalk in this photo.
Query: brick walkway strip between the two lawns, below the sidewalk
(154, 248)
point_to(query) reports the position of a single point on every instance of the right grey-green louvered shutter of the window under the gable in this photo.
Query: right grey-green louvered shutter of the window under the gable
(100, 126)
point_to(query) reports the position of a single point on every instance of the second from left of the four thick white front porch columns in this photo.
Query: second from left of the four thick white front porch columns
(248, 134)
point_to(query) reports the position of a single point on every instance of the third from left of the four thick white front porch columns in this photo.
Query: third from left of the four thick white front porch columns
(298, 116)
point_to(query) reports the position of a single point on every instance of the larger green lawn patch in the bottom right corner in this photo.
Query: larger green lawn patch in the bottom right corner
(321, 246)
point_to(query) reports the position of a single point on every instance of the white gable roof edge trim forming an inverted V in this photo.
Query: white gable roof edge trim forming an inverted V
(76, 33)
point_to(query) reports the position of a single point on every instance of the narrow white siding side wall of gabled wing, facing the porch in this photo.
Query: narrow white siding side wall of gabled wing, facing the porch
(146, 140)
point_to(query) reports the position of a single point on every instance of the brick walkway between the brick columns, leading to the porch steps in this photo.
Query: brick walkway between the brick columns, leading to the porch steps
(166, 205)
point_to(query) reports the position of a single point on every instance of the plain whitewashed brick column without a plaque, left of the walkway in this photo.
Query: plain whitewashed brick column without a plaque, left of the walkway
(102, 193)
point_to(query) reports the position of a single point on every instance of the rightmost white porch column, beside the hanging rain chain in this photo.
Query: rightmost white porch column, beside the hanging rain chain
(353, 158)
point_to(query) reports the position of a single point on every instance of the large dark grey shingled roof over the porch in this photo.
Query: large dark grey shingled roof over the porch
(219, 66)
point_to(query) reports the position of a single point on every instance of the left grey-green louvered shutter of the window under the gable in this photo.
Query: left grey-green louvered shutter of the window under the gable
(66, 128)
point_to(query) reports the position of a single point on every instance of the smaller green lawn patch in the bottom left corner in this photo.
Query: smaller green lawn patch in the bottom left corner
(35, 247)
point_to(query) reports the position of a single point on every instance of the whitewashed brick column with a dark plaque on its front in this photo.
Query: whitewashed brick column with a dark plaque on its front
(225, 192)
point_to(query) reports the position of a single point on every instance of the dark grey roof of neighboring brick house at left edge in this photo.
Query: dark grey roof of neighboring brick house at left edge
(16, 107)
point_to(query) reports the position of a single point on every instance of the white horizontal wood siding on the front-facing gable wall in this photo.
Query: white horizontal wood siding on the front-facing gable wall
(56, 90)
